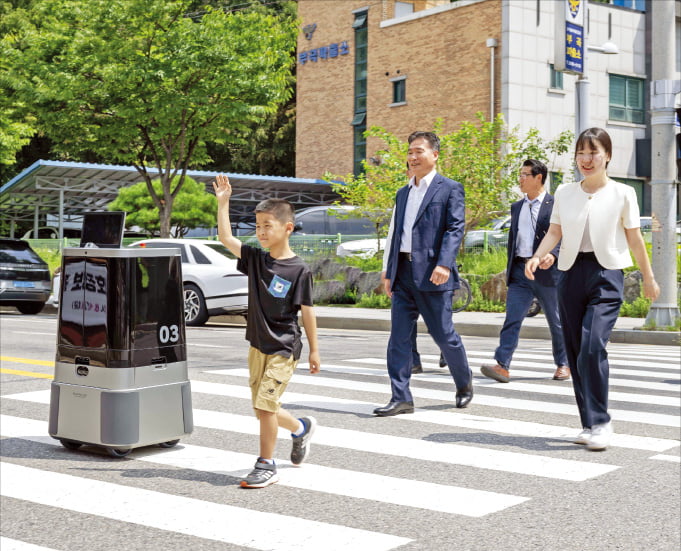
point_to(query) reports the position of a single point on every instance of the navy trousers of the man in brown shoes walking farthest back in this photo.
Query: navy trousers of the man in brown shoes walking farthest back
(521, 291)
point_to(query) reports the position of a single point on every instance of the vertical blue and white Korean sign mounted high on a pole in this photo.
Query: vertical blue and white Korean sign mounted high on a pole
(569, 42)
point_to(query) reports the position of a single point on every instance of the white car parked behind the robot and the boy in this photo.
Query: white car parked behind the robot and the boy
(212, 284)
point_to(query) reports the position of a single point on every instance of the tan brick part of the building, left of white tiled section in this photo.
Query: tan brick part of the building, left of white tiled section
(432, 63)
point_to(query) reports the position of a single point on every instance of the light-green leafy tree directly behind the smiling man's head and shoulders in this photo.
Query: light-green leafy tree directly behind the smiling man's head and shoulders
(484, 156)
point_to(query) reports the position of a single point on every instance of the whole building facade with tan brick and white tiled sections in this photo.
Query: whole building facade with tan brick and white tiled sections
(403, 65)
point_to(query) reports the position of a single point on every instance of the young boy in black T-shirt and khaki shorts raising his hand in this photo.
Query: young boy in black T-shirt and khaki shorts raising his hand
(279, 284)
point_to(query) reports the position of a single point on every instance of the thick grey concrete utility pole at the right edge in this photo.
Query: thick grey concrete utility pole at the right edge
(664, 311)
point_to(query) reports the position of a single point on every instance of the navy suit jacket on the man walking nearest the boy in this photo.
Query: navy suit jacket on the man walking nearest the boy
(436, 235)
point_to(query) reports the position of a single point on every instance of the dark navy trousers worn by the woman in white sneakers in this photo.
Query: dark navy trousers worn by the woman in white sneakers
(589, 298)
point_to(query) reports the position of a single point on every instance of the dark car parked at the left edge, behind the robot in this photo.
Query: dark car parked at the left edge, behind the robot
(24, 277)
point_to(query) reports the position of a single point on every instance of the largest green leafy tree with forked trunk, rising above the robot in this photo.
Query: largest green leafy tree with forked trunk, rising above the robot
(150, 82)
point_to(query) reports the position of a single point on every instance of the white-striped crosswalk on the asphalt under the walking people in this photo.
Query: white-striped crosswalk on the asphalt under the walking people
(645, 401)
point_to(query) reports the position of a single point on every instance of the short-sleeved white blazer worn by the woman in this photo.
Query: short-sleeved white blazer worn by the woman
(610, 210)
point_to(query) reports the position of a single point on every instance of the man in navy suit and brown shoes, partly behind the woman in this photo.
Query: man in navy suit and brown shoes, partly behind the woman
(530, 219)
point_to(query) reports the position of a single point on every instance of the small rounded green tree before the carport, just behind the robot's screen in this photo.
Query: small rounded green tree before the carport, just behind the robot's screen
(194, 208)
